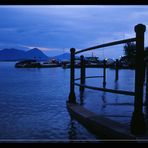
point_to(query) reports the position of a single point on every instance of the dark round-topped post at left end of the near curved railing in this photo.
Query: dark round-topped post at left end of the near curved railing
(72, 97)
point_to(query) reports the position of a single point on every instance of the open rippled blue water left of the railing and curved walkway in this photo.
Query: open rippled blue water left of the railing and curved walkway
(33, 105)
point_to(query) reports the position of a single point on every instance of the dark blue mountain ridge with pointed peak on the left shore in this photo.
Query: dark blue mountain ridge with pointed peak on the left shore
(17, 55)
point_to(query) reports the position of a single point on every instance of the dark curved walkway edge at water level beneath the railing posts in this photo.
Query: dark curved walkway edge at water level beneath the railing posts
(106, 128)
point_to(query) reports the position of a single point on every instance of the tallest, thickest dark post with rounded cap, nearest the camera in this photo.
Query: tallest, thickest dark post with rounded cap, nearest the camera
(138, 122)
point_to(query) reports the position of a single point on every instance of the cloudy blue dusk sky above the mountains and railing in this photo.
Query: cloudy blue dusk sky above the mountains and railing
(55, 29)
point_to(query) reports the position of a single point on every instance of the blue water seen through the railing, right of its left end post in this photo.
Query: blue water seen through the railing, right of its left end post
(114, 106)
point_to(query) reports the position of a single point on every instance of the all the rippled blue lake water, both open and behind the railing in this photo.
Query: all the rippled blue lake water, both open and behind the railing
(33, 103)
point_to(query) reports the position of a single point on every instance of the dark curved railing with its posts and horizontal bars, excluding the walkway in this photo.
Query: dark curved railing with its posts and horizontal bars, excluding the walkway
(137, 121)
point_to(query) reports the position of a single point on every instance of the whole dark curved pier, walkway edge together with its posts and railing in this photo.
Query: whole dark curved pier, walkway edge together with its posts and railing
(99, 124)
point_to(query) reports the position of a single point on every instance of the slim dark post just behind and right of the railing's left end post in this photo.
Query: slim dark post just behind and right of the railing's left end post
(82, 73)
